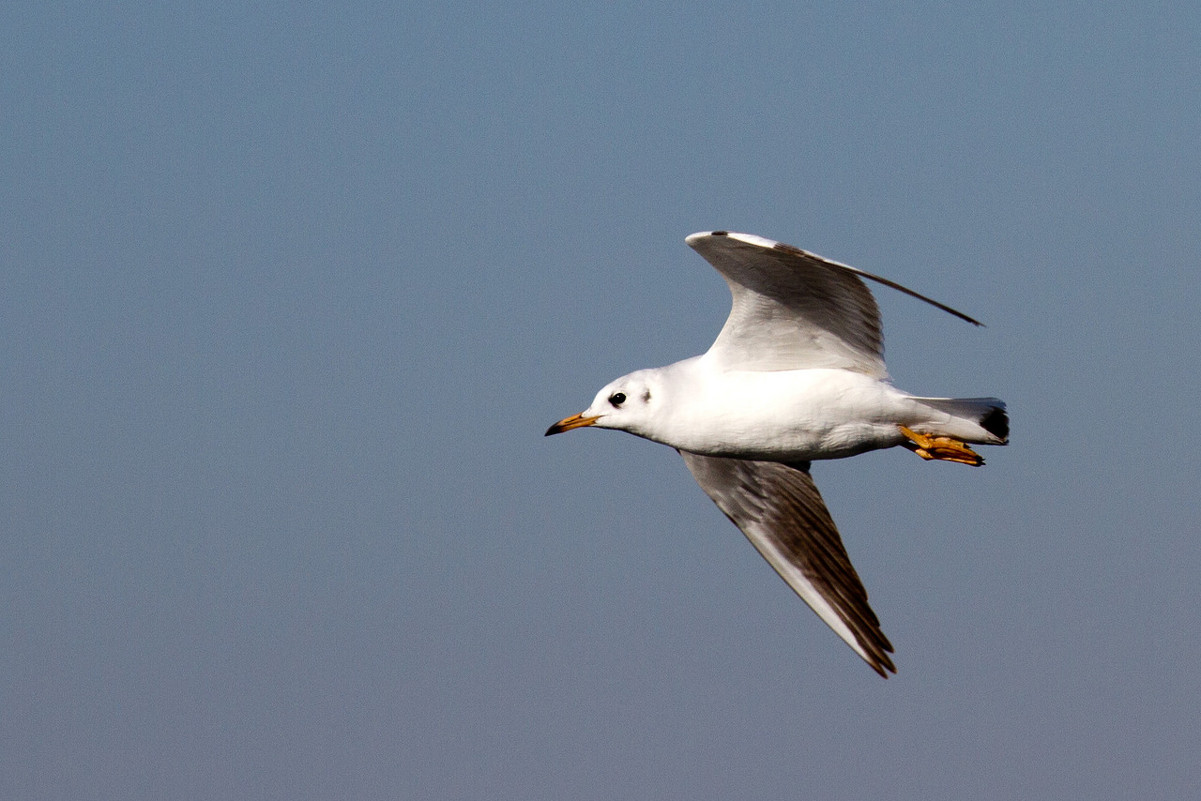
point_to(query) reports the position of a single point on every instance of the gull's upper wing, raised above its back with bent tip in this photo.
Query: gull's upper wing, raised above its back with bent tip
(796, 310)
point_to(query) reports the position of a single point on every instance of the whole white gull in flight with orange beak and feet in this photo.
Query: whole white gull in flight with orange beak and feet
(796, 375)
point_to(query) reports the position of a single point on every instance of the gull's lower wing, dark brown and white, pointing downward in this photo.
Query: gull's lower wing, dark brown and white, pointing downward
(781, 512)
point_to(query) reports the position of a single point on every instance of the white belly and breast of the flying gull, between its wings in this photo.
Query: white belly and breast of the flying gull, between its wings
(788, 416)
